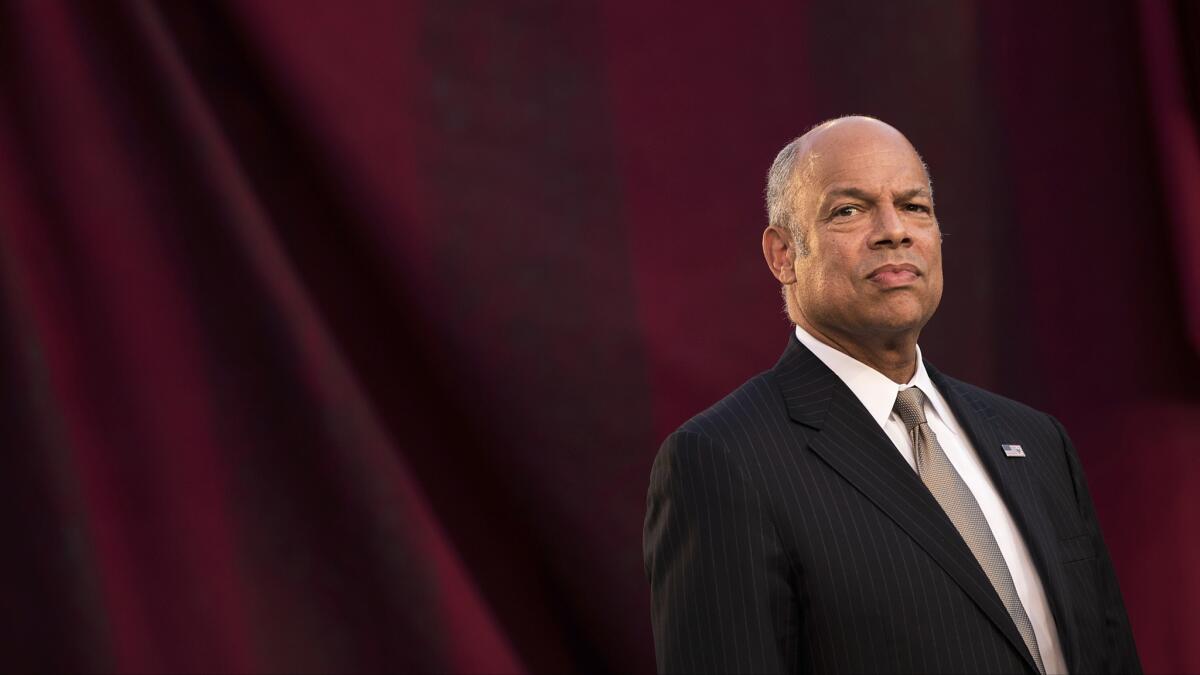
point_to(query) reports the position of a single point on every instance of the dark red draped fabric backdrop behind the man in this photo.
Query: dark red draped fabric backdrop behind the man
(343, 336)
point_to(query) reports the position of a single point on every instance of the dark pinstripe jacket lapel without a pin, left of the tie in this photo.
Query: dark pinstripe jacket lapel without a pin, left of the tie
(851, 443)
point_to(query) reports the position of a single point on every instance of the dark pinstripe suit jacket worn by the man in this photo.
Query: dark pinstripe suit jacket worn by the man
(785, 534)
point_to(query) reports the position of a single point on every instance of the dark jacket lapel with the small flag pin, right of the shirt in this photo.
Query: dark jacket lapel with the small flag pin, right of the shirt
(1017, 485)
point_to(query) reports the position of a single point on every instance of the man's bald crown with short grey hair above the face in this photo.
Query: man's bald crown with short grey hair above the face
(790, 181)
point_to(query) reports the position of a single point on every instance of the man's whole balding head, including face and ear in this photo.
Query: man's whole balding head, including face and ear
(853, 238)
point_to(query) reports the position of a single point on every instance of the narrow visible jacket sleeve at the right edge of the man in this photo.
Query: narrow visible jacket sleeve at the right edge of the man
(1121, 655)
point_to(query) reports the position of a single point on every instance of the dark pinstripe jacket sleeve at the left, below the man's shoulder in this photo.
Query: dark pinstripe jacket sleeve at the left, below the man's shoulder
(721, 600)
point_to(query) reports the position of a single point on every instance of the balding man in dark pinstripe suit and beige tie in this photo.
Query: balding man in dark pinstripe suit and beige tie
(854, 510)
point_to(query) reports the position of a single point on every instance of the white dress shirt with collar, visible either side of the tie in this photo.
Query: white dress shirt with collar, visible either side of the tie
(879, 395)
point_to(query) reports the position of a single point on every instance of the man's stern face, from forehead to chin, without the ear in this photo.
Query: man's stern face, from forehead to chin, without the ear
(875, 256)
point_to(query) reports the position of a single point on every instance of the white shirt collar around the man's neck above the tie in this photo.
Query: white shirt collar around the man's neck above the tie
(869, 386)
